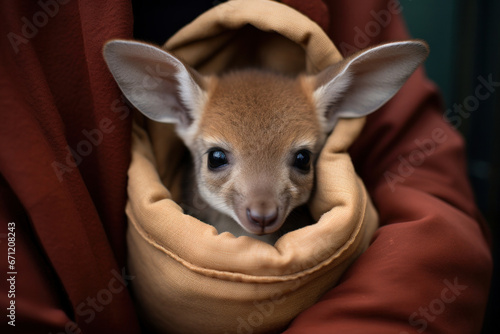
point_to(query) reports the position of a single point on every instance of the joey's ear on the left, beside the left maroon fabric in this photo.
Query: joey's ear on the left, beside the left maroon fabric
(155, 82)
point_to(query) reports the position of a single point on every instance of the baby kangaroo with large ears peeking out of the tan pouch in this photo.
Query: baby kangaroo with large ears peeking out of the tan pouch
(254, 135)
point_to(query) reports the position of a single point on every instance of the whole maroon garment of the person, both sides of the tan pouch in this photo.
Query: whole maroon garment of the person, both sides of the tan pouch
(429, 265)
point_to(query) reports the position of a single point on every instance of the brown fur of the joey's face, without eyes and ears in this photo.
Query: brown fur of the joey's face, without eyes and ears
(261, 120)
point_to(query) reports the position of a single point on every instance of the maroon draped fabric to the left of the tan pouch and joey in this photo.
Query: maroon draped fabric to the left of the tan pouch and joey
(55, 93)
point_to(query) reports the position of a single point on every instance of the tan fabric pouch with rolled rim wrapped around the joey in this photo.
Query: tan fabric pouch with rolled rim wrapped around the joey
(183, 264)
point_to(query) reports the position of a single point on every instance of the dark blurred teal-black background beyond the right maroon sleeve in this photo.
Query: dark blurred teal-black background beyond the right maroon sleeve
(464, 38)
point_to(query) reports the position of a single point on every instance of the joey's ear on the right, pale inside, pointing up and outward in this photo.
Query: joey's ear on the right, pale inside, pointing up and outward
(363, 82)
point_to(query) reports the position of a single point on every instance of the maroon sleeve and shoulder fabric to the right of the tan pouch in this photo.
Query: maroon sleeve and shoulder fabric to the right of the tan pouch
(429, 266)
